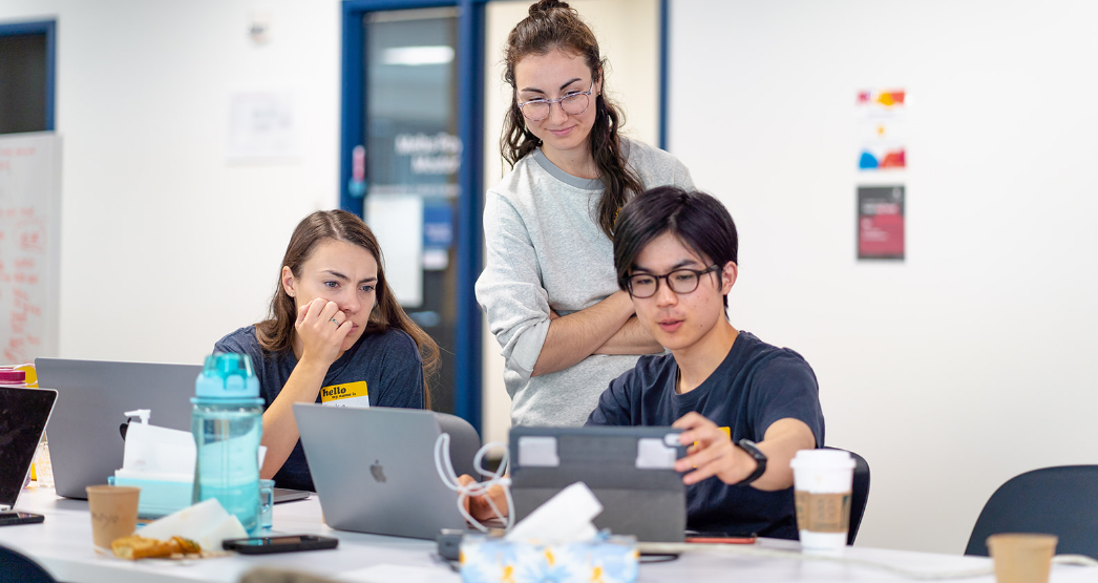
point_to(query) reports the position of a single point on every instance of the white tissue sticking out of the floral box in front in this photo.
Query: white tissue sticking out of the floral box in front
(563, 519)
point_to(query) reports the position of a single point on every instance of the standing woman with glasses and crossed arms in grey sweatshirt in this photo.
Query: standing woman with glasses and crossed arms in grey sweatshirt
(550, 287)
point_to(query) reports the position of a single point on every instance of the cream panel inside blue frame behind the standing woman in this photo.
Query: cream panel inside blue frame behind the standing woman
(629, 38)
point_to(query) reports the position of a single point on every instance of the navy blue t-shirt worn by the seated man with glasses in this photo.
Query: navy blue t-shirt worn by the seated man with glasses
(756, 386)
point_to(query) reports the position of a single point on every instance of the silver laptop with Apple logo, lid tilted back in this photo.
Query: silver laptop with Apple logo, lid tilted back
(375, 470)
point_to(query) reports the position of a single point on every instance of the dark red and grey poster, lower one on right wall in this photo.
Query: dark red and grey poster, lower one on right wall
(881, 222)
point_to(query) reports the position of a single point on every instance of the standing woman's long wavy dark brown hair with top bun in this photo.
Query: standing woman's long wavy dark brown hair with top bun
(555, 26)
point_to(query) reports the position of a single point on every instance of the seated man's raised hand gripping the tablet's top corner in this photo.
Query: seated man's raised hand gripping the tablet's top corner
(711, 453)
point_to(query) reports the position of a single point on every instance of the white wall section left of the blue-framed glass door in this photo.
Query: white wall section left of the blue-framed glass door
(165, 245)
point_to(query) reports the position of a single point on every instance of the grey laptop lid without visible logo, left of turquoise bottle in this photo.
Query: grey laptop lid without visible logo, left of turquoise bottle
(93, 397)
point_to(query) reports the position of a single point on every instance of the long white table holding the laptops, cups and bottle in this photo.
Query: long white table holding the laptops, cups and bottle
(63, 545)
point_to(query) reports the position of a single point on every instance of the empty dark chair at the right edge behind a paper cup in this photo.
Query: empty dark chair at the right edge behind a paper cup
(1058, 501)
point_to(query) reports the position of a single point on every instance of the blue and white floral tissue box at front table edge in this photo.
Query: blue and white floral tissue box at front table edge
(608, 559)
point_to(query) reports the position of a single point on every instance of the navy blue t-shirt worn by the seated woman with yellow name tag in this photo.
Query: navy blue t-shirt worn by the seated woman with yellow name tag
(389, 363)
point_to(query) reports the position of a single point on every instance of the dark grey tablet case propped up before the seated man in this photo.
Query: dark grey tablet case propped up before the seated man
(630, 469)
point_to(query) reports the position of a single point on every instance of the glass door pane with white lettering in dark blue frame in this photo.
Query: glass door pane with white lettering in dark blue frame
(408, 170)
